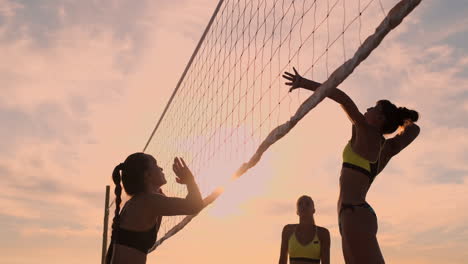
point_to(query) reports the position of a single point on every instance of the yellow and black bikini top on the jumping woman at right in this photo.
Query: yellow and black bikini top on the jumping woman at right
(354, 161)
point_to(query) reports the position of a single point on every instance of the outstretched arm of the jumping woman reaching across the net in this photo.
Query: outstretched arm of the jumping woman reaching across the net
(354, 115)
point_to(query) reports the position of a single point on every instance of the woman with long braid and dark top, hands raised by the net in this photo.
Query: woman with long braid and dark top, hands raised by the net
(135, 227)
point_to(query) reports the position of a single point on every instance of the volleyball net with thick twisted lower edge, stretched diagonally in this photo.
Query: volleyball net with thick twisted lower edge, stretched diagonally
(231, 103)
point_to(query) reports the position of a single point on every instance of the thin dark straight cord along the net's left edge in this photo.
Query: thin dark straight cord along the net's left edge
(195, 52)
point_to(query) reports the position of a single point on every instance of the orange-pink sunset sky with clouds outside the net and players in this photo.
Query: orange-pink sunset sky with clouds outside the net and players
(84, 82)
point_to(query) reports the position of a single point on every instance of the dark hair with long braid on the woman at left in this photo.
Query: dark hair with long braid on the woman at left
(132, 178)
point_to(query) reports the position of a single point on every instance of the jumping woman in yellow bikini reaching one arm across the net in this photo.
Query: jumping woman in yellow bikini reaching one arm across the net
(366, 155)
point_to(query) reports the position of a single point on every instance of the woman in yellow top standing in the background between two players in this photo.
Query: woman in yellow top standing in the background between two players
(305, 242)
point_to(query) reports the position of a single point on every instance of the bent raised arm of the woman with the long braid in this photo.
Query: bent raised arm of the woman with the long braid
(191, 204)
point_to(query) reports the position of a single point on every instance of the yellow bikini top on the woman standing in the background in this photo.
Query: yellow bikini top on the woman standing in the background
(299, 253)
